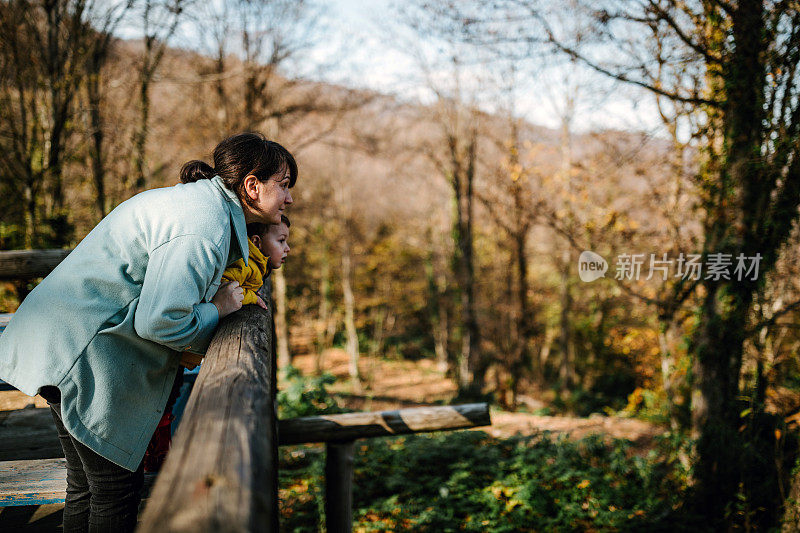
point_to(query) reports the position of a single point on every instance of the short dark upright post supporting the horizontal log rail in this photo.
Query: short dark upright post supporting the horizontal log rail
(339, 486)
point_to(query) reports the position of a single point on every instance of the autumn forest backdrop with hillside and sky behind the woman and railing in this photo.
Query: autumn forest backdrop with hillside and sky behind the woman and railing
(573, 269)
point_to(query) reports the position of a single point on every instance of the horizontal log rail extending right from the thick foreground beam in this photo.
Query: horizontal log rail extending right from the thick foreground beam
(351, 426)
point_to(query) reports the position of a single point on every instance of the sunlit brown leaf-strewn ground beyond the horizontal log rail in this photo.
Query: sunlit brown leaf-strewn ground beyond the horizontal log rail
(395, 384)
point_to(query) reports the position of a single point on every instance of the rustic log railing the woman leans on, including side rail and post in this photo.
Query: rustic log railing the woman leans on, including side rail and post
(222, 471)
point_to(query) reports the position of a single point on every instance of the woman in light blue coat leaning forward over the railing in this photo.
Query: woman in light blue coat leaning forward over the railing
(100, 336)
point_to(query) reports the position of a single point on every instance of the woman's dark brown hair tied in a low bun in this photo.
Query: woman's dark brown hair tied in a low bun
(239, 156)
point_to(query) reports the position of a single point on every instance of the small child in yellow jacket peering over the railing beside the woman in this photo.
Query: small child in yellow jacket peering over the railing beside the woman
(268, 250)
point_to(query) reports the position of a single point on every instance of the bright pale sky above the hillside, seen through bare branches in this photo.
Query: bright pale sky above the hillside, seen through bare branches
(363, 44)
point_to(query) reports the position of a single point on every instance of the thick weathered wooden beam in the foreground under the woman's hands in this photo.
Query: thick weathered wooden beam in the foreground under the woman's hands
(221, 474)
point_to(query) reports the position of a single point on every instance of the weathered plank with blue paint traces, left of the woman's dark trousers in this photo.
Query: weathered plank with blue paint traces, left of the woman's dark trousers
(33, 482)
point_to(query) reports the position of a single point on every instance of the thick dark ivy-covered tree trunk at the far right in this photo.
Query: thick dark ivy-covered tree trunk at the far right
(717, 344)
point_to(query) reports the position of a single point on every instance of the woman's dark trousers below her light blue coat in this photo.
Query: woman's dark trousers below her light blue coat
(101, 496)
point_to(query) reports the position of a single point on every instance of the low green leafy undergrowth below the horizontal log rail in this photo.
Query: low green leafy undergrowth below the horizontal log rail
(469, 481)
